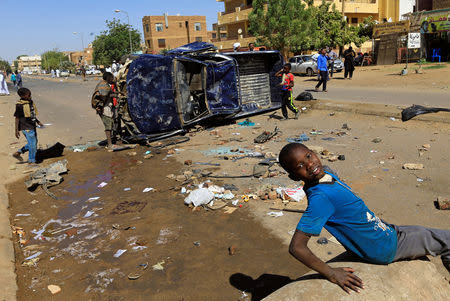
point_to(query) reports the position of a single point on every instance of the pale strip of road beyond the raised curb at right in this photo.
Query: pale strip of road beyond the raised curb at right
(376, 95)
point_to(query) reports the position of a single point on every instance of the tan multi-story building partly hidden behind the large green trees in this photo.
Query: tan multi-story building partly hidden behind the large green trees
(235, 17)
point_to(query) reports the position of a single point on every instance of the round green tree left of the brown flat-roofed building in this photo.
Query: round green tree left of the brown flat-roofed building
(114, 42)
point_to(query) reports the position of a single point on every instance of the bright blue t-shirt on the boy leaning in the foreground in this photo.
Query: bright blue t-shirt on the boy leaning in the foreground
(344, 214)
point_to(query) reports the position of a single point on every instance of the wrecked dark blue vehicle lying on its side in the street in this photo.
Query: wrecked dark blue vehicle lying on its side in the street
(194, 83)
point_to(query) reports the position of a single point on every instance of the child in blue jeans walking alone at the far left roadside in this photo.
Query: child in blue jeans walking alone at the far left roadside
(26, 121)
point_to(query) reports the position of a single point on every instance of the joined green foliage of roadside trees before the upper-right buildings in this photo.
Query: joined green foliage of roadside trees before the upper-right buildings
(297, 25)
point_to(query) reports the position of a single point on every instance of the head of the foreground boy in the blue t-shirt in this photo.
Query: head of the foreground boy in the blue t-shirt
(301, 163)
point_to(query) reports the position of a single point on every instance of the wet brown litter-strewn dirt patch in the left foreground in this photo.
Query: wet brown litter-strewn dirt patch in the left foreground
(178, 253)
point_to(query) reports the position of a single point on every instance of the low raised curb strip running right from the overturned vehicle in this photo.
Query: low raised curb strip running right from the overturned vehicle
(381, 110)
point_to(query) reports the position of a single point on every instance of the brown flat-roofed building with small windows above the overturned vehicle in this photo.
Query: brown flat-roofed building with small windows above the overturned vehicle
(168, 32)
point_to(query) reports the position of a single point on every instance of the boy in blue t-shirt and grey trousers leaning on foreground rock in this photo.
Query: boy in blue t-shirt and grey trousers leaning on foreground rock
(333, 205)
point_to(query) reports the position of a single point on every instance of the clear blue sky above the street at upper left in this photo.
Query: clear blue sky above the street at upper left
(32, 27)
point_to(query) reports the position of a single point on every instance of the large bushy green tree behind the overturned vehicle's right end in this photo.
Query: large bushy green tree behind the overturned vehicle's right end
(284, 25)
